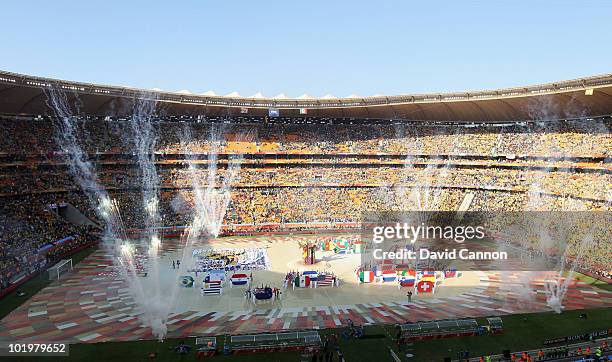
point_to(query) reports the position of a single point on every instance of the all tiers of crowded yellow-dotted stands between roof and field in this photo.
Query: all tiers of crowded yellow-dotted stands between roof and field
(298, 174)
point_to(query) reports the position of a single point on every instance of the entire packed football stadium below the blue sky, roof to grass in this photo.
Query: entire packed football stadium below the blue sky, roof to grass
(143, 224)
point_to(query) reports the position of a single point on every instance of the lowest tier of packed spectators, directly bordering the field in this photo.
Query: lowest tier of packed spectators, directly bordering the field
(32, 221)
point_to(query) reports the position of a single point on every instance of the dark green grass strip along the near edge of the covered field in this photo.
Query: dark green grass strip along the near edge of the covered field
(526, 331)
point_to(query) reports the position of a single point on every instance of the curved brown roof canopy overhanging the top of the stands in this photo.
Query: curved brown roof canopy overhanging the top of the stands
(584, 97)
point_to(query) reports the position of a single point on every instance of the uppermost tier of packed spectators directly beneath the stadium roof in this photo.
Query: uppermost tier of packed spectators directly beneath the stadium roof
(576, 138)
